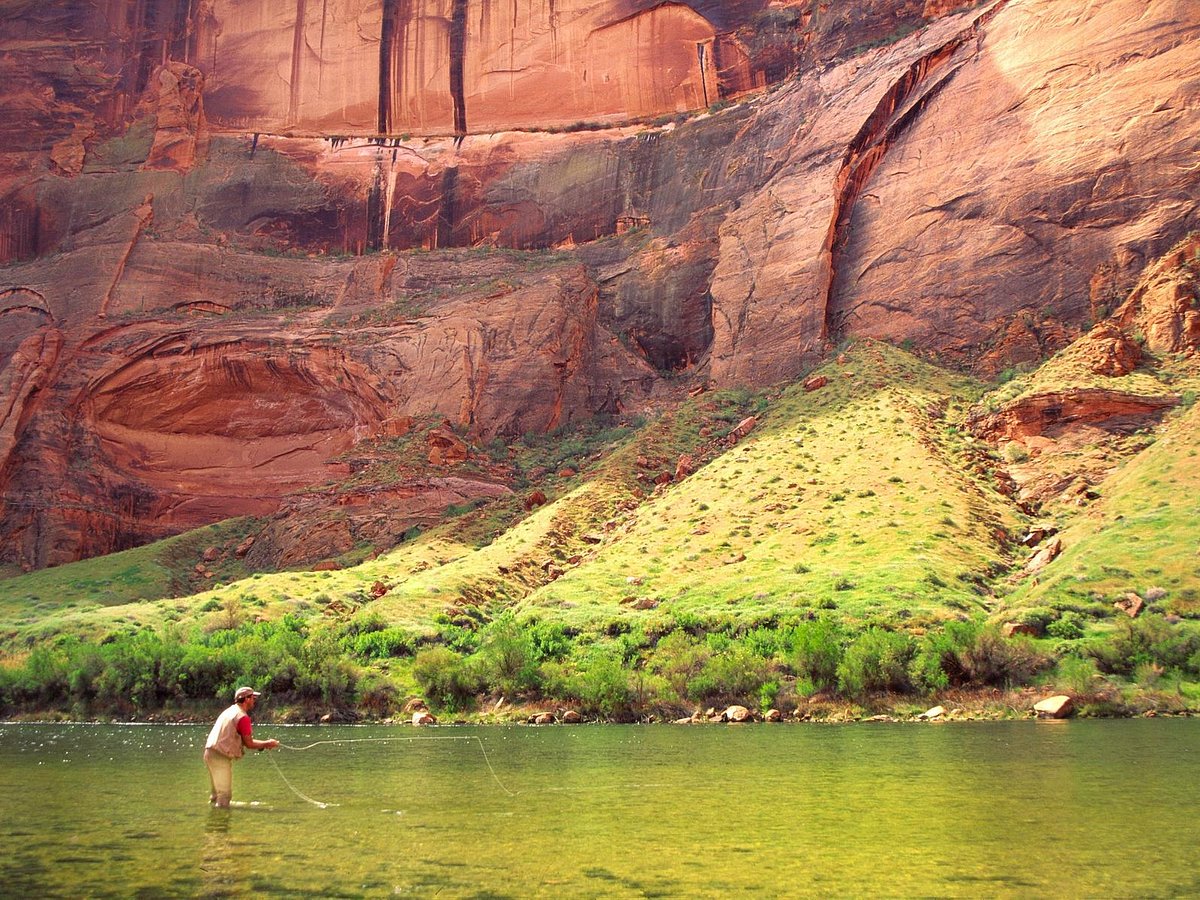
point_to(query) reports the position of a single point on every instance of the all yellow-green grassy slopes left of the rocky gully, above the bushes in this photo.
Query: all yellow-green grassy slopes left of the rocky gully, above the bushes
(857, 497)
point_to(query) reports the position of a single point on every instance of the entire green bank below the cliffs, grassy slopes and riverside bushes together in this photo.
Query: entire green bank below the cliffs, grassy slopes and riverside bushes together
(801, 549)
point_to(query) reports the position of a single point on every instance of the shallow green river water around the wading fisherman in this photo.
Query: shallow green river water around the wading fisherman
(1001, 809)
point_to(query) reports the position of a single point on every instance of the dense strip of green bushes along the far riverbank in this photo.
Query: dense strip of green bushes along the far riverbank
(687, 663)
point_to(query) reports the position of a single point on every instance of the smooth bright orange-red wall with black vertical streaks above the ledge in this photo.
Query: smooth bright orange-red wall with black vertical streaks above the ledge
(449, 67)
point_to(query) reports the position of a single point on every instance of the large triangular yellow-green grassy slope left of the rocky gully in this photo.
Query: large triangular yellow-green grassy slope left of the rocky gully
(856, 497)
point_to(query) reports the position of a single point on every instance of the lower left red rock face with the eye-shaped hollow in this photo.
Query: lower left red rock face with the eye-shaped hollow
(121, 434)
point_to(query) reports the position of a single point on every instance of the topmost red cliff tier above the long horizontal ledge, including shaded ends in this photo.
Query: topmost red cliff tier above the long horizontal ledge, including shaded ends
(439, 67)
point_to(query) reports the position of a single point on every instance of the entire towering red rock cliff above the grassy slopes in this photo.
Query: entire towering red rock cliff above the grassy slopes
(195, 322)
